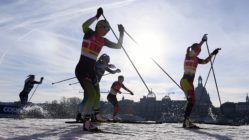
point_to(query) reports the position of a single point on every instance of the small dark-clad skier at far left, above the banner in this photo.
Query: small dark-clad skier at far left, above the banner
(28, 85)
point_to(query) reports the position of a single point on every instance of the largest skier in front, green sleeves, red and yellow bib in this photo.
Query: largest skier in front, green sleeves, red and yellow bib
(93, 41)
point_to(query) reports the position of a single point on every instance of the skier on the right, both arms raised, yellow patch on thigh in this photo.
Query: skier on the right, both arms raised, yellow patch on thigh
(190, 64)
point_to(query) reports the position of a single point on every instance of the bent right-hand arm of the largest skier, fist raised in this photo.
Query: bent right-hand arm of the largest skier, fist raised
(120, 40)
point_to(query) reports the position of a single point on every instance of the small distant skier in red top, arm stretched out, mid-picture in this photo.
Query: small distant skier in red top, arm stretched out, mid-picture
(115, 88)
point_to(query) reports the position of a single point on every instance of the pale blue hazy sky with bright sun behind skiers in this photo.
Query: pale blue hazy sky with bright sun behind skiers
(44, 38)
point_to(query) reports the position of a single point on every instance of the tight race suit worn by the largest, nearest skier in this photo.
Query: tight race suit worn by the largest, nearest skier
(85, 69)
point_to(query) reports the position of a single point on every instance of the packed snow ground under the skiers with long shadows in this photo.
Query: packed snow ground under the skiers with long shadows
(57, 129)
